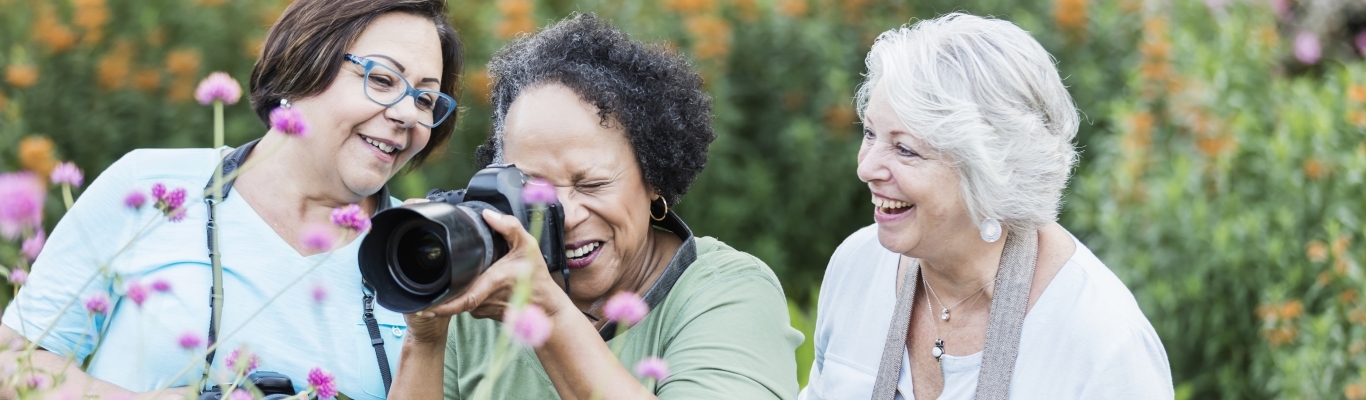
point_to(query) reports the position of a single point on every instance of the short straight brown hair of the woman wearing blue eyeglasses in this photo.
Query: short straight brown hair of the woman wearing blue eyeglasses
(304, 54)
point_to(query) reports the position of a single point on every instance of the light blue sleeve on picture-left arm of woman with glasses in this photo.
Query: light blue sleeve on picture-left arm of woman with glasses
(74, 266)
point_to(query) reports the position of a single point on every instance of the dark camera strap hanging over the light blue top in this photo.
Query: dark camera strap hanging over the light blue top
(230, 165)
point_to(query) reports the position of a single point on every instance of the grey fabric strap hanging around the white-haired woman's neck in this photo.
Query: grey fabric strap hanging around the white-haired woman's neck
(1010, 301)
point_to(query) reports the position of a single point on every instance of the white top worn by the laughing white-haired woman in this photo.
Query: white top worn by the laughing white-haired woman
(1084, 339)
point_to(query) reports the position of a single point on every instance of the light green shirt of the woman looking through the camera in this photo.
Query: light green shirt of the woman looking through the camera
(723, 331)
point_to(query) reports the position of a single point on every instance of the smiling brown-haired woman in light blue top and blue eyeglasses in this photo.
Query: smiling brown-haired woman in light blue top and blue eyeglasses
(374, 80)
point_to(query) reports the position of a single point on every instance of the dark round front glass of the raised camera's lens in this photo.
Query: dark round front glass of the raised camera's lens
(420, 259)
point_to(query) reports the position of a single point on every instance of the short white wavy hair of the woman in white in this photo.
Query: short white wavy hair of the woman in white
(987, 96)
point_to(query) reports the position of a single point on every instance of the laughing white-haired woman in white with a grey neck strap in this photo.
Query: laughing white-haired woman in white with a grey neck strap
(966, 286)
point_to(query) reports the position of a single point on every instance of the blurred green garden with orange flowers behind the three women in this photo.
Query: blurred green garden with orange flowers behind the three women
(1223, 145)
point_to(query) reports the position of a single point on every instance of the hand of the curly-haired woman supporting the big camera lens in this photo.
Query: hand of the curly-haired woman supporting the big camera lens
(488, 296)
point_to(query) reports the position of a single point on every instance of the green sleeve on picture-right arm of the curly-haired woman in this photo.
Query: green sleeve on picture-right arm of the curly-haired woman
(733, 342)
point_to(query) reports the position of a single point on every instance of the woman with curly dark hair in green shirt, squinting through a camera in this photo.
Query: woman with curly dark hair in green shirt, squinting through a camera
(621, 130)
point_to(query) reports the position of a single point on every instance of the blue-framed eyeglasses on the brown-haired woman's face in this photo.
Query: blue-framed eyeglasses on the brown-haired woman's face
(387, 88)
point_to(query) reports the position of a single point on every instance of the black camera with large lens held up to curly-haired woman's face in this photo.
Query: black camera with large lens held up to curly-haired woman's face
(419, 256)
